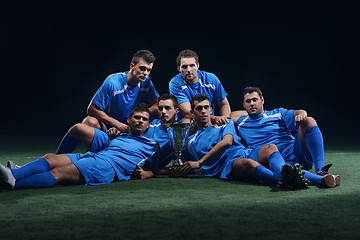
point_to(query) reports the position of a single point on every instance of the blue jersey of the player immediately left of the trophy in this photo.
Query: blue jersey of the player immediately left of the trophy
(159, 134)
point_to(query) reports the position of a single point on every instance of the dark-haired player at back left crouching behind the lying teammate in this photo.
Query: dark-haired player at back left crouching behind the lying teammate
(118, 94)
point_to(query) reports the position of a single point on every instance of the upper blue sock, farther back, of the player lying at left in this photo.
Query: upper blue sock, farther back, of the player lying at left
(34, 167)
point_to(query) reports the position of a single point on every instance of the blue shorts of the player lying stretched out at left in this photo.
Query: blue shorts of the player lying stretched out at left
(95, 170)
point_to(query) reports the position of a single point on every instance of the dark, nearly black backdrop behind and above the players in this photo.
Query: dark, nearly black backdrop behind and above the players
(301, 56)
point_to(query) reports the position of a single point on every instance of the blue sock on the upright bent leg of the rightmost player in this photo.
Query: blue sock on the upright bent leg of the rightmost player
(315, 145)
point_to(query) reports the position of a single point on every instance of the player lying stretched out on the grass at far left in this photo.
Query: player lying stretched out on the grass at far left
(124, 155)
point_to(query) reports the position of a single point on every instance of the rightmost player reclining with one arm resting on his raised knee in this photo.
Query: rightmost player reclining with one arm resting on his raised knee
(259, 127)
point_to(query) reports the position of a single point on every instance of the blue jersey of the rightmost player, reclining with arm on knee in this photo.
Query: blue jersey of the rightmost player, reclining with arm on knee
(273, 126)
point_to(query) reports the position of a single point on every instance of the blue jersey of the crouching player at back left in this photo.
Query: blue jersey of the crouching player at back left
(117, 98)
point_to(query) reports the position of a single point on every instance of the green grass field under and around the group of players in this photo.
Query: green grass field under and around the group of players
(180, 208)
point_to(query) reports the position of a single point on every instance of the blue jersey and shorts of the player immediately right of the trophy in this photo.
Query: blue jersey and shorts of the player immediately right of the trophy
(202, 141)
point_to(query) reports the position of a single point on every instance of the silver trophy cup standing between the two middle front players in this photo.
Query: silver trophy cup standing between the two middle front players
(177, 133)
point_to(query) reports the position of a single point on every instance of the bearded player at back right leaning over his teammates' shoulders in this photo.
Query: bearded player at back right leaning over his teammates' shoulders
(191, 81)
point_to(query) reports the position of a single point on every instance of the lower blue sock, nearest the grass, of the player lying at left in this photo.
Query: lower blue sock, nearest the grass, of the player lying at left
(40, 180)
